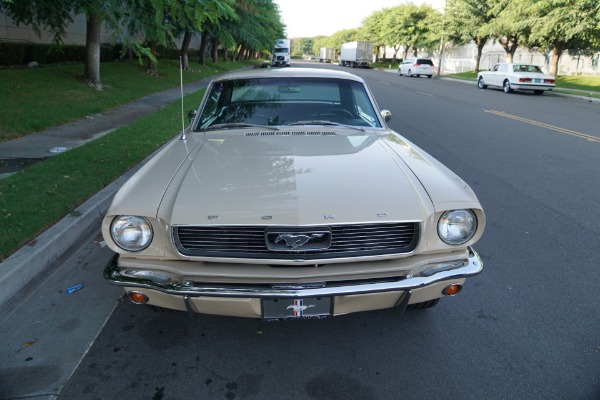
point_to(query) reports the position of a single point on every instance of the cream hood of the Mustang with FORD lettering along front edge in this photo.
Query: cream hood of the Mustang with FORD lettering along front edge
(293, 178)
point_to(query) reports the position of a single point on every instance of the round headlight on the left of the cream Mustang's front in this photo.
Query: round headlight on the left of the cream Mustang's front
(131, 233)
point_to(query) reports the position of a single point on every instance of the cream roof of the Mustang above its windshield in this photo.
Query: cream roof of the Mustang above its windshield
(289, 73)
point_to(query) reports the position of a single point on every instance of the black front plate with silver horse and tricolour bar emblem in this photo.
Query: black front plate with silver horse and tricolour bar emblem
(315, 307)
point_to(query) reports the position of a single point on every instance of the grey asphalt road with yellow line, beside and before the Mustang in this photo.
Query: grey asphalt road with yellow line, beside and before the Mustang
(528, 327)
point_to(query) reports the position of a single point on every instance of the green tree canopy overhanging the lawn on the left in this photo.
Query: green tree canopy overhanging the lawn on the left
(240, 25)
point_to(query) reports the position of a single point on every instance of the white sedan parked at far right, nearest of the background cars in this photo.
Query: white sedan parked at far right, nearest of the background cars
(509, 77)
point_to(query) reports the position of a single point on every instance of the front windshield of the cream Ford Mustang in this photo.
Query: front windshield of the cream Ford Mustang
(288, 101)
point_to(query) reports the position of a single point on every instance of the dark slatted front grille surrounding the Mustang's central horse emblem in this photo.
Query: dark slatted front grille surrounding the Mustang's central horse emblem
(353, 240)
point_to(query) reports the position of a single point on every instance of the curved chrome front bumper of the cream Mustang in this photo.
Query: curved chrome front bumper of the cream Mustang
(112, 273)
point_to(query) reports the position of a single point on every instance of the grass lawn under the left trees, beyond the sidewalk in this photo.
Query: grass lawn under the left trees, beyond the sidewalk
(35, 99)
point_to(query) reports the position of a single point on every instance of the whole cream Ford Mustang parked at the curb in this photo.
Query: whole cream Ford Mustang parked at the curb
(288, 197)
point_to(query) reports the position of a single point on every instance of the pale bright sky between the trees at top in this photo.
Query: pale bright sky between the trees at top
(310, 18)
